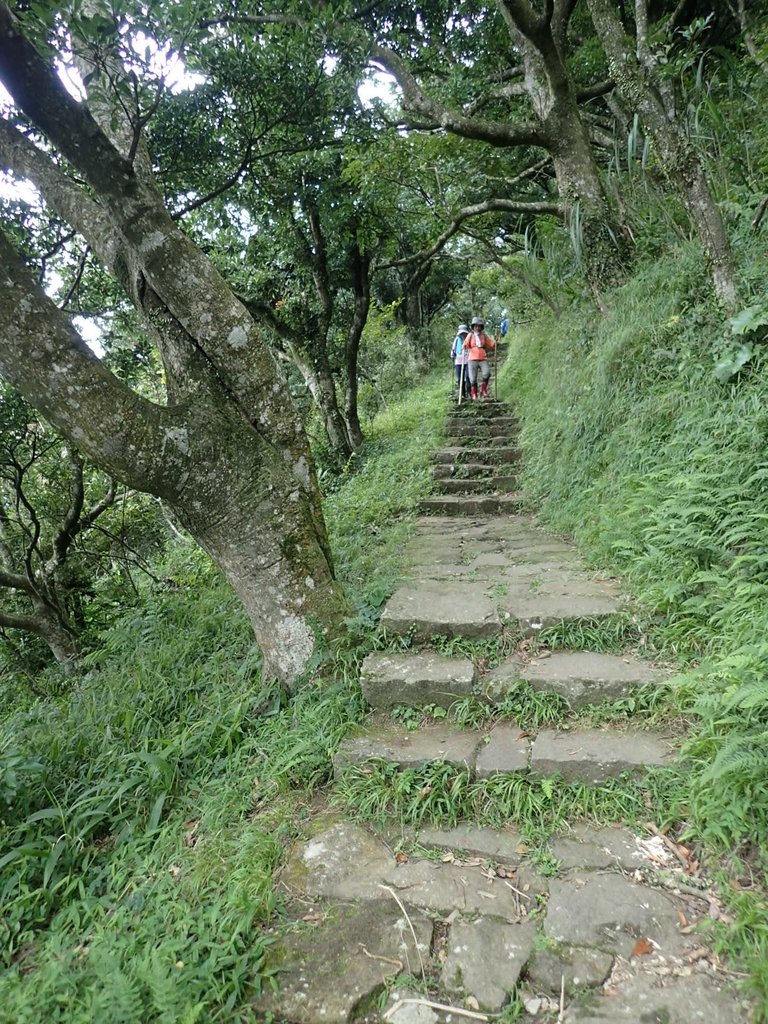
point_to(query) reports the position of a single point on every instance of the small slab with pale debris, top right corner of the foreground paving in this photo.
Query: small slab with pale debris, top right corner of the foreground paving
(591, 848)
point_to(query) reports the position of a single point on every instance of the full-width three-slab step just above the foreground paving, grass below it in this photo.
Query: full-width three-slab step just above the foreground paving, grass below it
(585, 756)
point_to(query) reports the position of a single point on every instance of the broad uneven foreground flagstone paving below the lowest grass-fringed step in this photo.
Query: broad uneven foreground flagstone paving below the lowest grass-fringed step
(354, 903)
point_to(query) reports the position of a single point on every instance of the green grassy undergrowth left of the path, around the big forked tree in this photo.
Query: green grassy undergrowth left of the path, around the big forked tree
(143, 812)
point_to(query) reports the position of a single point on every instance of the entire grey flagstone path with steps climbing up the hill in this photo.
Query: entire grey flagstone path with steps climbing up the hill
(465, 920)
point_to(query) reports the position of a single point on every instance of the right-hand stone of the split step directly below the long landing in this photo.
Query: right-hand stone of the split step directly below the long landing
(582, 678)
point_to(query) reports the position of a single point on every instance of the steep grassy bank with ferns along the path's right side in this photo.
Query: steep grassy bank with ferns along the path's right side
(636, 447)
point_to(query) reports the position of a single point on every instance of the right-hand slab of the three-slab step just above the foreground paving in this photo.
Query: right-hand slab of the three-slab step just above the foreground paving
(593, 755)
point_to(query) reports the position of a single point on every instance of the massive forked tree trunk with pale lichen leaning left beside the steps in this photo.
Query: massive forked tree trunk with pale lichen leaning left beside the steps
(229, 454)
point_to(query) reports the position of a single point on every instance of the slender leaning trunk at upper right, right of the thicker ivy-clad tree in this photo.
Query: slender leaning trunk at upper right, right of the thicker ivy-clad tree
(677, 156)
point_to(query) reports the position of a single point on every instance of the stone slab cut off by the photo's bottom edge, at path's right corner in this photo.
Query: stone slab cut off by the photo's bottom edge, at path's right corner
(650, 1000)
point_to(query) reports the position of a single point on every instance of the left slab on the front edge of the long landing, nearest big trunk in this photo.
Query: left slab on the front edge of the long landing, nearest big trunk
(450, 611)
